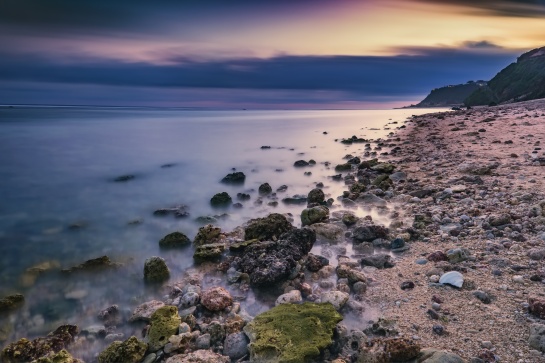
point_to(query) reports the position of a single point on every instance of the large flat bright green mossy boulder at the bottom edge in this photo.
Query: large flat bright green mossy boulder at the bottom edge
(282, 333)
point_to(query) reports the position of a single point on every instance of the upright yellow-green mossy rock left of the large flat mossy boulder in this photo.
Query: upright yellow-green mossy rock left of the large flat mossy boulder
(164, 323)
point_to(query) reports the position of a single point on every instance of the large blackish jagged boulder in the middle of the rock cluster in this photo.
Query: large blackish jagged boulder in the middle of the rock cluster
(272, 261)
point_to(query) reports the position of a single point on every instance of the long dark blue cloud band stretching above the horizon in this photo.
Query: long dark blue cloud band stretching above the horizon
(359, 75)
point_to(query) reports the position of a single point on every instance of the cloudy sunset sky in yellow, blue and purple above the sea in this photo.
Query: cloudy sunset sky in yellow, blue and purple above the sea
(279, 54)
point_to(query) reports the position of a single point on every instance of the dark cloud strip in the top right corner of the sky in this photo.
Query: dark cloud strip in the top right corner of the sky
(515, 8)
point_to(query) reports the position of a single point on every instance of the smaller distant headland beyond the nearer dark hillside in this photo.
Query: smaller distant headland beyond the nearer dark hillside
(453, 95)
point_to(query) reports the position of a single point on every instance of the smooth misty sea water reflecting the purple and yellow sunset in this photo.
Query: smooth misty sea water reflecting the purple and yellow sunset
(57, 167)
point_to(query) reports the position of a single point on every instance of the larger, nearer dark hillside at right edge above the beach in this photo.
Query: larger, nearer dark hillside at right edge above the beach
(523, 80)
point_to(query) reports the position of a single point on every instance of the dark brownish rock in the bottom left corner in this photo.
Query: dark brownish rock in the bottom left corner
(25, 350)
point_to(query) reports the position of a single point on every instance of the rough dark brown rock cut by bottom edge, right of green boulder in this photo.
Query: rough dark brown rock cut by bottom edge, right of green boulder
(389, 350)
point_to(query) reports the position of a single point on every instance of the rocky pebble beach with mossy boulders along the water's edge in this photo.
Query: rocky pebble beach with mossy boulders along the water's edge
(434, 253)
